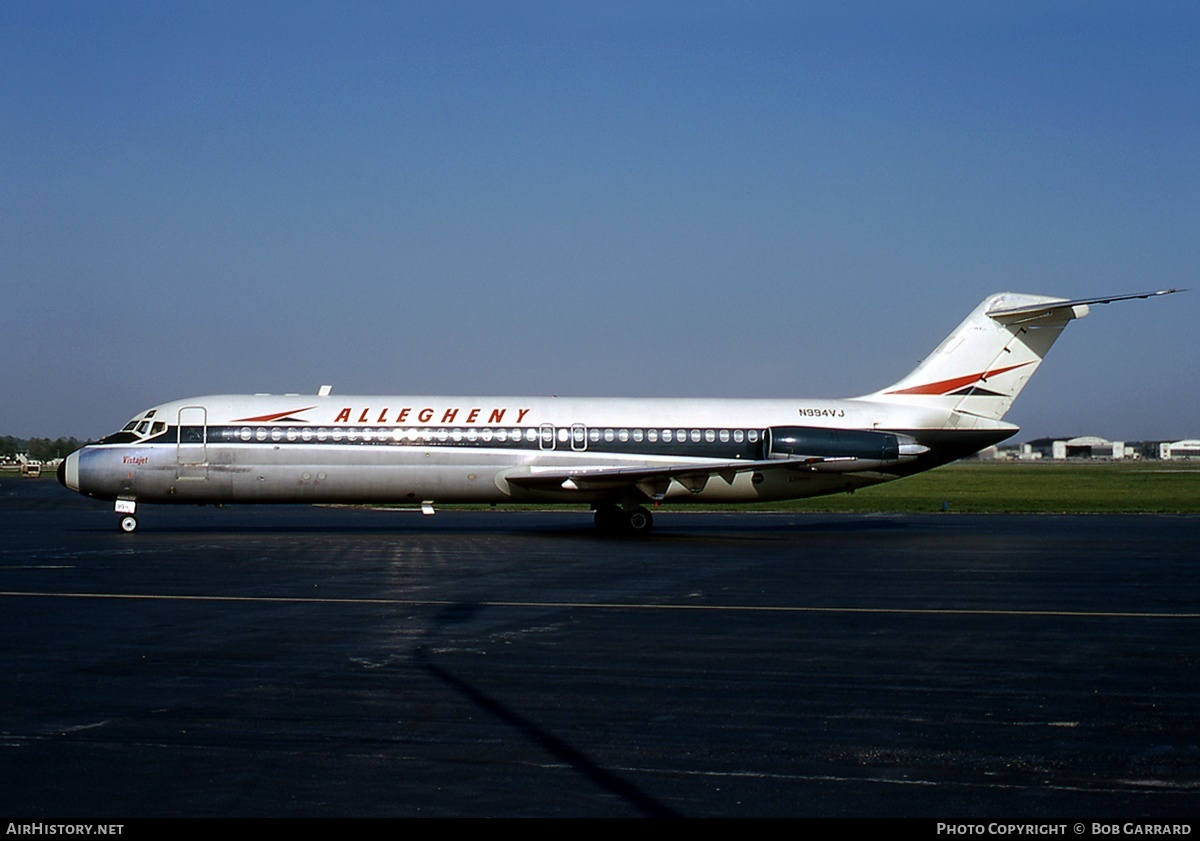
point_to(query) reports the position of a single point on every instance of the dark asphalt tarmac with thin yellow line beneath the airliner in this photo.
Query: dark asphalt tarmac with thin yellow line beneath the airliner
(296, 662)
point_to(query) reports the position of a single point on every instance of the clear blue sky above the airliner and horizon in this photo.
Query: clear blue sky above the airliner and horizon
(590, 199)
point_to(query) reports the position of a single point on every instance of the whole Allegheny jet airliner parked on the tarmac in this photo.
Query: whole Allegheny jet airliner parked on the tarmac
(616, 455)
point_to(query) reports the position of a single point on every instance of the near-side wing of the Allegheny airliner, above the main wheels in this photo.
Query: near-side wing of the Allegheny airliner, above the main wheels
(655, 482)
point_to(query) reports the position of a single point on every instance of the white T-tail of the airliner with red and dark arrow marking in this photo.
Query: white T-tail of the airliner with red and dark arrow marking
(981, 368)
